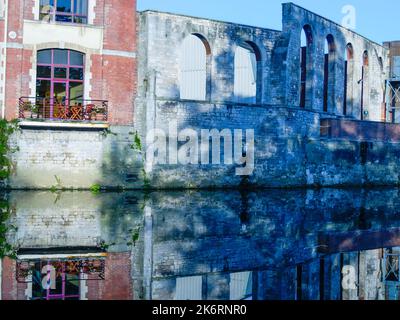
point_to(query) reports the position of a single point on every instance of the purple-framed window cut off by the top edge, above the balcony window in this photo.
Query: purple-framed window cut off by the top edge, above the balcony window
(74, 11)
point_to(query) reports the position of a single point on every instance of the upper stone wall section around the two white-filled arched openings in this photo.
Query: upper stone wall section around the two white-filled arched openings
(162, 35)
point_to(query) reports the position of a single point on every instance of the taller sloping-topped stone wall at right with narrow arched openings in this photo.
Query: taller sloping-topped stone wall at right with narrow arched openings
(294, 19)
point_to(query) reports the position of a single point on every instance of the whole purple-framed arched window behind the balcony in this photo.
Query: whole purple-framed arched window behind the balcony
(59, 79)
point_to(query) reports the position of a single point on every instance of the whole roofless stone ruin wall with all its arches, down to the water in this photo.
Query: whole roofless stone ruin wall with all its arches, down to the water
(289, 151)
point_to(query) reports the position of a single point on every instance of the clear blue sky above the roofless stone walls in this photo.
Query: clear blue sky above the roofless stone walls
(376, 20)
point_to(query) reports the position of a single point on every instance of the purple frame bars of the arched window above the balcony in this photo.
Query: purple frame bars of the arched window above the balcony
(65, 80)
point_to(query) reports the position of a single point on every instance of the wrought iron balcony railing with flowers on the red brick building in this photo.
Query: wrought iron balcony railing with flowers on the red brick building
(77, 110)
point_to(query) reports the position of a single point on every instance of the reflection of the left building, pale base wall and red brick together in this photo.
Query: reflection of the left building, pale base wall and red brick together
(68, 235)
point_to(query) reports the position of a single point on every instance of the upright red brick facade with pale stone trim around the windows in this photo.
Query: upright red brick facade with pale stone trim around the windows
(112, 68)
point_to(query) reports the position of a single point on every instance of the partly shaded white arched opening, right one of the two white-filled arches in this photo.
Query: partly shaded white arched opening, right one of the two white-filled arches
(246, 73)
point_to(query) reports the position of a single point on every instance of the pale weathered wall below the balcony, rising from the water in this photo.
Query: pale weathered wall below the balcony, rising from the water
(75, 159)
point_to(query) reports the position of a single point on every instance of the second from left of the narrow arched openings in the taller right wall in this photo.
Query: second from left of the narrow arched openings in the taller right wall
(329, 72)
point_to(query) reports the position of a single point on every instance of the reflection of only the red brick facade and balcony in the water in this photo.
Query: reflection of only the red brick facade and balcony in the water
(74, 277)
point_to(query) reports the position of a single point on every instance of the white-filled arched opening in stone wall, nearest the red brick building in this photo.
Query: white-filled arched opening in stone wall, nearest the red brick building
(194, 73)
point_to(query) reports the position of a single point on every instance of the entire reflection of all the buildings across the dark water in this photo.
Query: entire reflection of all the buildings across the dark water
(207, 245)
